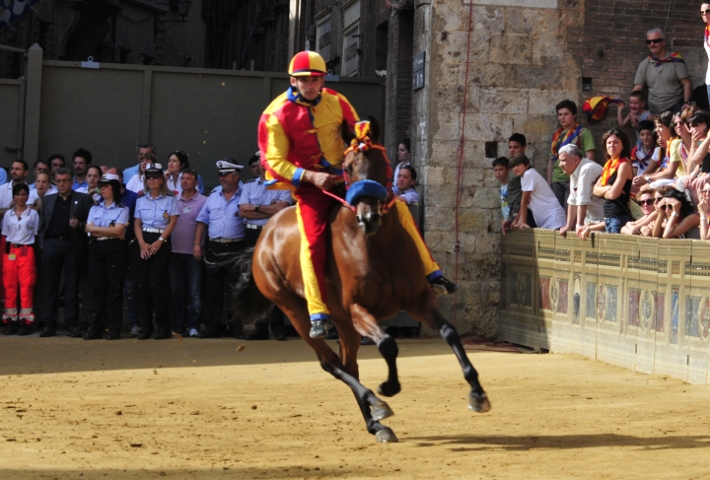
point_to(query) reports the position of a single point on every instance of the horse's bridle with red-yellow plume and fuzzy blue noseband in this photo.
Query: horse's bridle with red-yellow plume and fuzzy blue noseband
(370, 188)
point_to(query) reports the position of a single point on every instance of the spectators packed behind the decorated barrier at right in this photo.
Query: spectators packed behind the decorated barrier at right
(655, 184)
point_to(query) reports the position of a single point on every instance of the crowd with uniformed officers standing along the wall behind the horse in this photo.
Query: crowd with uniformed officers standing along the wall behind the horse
(146, 236)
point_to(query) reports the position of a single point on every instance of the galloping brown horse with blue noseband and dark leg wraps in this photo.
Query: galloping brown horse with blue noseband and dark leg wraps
(370, 276)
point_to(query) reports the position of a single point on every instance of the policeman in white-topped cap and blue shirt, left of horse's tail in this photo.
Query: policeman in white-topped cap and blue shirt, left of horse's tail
(225, 235)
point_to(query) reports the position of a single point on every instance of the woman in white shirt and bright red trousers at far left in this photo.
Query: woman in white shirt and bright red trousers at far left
(20, 226)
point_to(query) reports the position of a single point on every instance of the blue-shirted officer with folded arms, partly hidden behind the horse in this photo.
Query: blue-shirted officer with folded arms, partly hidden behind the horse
(257, 204)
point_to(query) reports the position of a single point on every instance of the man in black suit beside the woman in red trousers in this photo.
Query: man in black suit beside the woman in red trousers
(63, 242)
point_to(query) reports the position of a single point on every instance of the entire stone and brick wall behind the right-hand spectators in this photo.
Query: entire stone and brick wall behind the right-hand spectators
(524, 59)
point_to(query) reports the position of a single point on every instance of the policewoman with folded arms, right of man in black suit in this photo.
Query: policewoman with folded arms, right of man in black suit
(108, 258)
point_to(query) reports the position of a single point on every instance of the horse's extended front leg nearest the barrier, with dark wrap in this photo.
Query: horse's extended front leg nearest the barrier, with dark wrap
(428, 314)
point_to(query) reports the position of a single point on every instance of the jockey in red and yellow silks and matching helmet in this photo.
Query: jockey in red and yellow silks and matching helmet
(300, 144)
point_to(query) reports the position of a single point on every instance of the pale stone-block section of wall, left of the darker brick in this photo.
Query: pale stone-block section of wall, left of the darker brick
(519, 69)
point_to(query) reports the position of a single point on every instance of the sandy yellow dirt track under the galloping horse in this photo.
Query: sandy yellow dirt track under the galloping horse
(202, 409)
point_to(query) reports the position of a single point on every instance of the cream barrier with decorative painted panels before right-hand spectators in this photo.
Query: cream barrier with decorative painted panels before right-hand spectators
(639, 303)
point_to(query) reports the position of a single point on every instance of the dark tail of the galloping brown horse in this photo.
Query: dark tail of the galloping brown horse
(249, 303)
